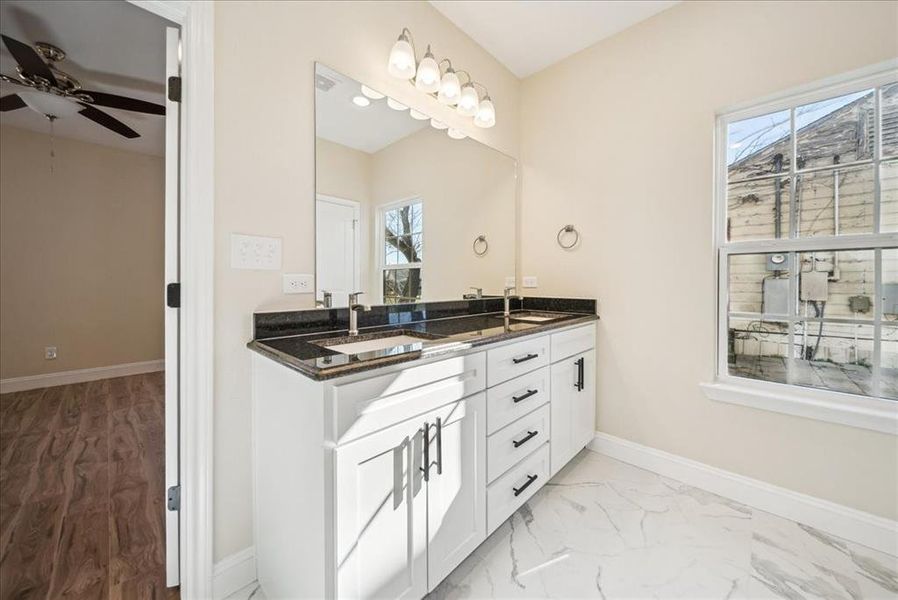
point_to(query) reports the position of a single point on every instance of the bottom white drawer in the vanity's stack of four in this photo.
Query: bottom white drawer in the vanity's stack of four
(509, 492)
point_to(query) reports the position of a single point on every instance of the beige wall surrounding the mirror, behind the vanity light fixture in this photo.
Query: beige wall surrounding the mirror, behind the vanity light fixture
(264, 173)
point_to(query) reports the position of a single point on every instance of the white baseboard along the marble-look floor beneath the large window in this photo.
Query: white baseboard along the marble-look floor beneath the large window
(854, 525)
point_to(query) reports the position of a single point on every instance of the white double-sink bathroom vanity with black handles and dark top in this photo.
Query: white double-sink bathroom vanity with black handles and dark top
(377, 473)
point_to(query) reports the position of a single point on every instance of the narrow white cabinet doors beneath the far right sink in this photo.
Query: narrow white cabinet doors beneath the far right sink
(573, 406)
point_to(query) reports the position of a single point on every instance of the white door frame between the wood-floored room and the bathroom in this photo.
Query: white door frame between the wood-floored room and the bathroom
(197, 185)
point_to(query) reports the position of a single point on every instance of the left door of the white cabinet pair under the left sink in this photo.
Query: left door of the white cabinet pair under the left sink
(381, 515)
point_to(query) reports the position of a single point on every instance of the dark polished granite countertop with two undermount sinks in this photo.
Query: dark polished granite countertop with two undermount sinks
(304, 353)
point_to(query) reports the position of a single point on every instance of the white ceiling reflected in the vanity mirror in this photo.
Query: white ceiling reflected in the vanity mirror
(369, 128)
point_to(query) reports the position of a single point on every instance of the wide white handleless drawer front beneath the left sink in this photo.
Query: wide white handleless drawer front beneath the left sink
(366, 406)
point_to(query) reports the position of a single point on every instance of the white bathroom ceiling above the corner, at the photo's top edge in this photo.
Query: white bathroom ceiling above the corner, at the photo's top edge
(528, 36)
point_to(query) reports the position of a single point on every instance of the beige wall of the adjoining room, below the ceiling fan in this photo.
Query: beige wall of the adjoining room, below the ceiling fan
(81, 255)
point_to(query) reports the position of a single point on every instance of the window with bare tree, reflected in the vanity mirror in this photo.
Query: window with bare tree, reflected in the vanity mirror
(401, 251)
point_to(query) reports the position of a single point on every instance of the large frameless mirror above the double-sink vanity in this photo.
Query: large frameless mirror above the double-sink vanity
(404, 212)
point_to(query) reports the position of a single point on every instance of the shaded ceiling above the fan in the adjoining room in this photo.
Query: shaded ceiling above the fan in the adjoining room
(112, 46)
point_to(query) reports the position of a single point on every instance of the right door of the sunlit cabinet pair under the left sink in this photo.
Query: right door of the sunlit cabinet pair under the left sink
(456, 492)
